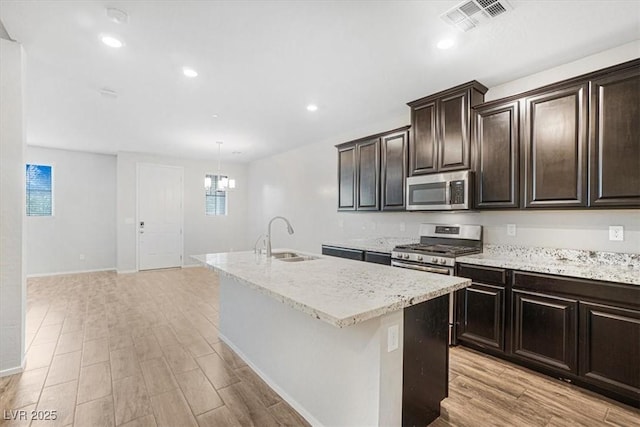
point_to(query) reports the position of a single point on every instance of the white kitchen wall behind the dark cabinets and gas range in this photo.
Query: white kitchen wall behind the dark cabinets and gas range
(301, 185)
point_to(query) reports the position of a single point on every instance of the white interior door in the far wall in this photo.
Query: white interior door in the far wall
(159, 222)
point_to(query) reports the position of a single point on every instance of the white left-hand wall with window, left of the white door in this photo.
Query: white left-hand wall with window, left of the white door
(84, 220)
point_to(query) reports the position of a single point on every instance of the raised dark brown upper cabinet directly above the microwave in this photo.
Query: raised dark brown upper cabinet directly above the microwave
(440, 139)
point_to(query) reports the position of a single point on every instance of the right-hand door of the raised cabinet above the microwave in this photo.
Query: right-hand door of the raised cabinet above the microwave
(453, 112)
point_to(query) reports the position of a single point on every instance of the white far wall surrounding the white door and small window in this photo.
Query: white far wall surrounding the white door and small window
(202, 234)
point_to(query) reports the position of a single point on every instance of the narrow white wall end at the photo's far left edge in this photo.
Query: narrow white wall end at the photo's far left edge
(12, 209)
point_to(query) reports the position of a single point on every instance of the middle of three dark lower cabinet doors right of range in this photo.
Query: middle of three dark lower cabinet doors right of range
(545, 329)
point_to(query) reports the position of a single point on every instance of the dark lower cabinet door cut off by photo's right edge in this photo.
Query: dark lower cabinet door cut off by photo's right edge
(610, 348)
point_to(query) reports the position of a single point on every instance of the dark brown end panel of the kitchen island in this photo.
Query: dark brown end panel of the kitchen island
(426, 361)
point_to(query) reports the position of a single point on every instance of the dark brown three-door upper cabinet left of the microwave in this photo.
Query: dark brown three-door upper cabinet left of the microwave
(372, 172)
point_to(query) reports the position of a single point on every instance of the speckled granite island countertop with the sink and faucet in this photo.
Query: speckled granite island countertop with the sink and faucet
(338, 291)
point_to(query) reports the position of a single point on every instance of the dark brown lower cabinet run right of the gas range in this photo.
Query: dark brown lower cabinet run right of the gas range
(585, 332)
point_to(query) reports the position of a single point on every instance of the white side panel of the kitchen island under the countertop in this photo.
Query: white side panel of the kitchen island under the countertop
(330, 375)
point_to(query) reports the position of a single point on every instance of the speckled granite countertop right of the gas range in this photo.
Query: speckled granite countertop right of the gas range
(605, 266)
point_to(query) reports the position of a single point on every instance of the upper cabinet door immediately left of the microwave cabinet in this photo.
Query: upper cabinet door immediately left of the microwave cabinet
(394, 161)
